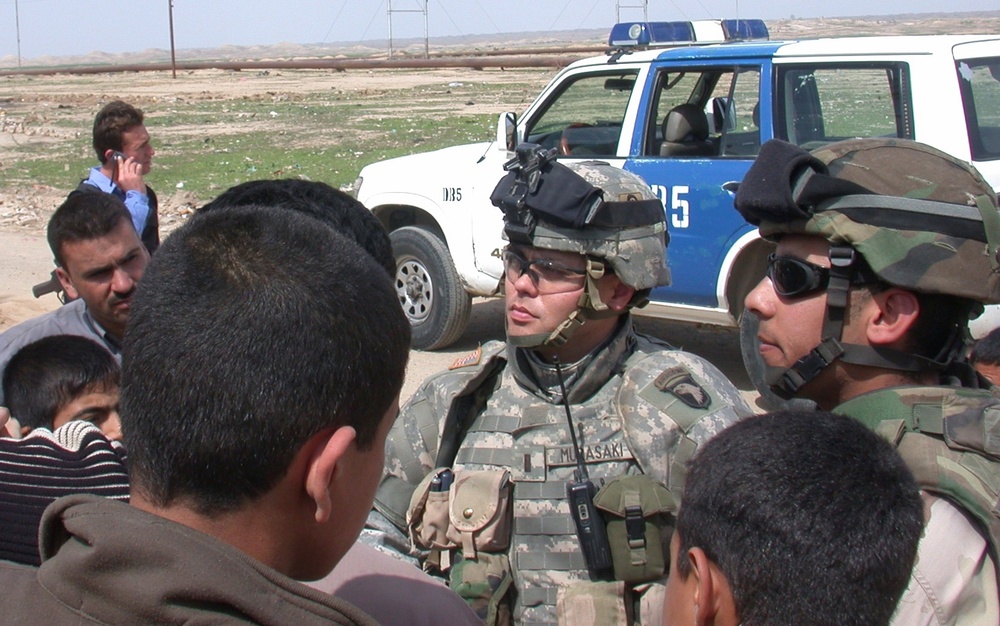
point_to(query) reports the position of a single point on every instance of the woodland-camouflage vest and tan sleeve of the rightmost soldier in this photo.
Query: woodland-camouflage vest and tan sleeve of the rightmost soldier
(955, 578)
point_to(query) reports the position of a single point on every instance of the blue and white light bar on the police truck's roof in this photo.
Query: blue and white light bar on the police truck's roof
(646, 34)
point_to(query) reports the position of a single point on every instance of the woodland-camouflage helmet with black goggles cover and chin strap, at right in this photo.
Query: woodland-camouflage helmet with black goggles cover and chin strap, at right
(895, 212)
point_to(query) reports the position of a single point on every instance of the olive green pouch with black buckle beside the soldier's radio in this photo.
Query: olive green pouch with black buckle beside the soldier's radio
(636, 509)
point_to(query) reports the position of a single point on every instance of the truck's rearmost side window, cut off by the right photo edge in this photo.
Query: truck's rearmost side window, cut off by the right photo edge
(979, 80)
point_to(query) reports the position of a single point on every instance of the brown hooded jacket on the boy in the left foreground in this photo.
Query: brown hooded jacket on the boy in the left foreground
(106, 562)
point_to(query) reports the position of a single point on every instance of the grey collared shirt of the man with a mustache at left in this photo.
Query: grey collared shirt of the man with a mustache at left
(69, 319)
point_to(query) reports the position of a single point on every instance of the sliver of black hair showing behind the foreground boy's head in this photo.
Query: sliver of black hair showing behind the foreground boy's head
(345, 214)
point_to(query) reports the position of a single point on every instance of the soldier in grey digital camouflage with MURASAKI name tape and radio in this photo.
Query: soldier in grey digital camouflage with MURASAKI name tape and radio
(576, 407)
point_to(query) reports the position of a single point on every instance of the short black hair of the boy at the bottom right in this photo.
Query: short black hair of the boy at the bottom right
(813, 519)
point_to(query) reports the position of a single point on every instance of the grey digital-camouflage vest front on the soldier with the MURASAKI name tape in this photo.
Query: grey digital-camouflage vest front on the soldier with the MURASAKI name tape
(530, 437)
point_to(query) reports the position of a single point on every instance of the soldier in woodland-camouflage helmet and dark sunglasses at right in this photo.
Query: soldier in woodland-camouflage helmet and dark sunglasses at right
(885, 249)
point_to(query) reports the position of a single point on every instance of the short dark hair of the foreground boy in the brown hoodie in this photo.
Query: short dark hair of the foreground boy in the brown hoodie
(254, 328)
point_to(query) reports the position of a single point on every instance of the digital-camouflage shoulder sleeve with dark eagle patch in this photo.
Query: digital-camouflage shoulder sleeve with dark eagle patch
(670, 403)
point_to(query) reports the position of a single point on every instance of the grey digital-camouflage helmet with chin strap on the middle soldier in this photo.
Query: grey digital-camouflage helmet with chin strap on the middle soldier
(602, 212)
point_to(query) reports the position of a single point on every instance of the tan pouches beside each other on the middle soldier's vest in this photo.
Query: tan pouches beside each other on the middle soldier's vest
(473, 514)
